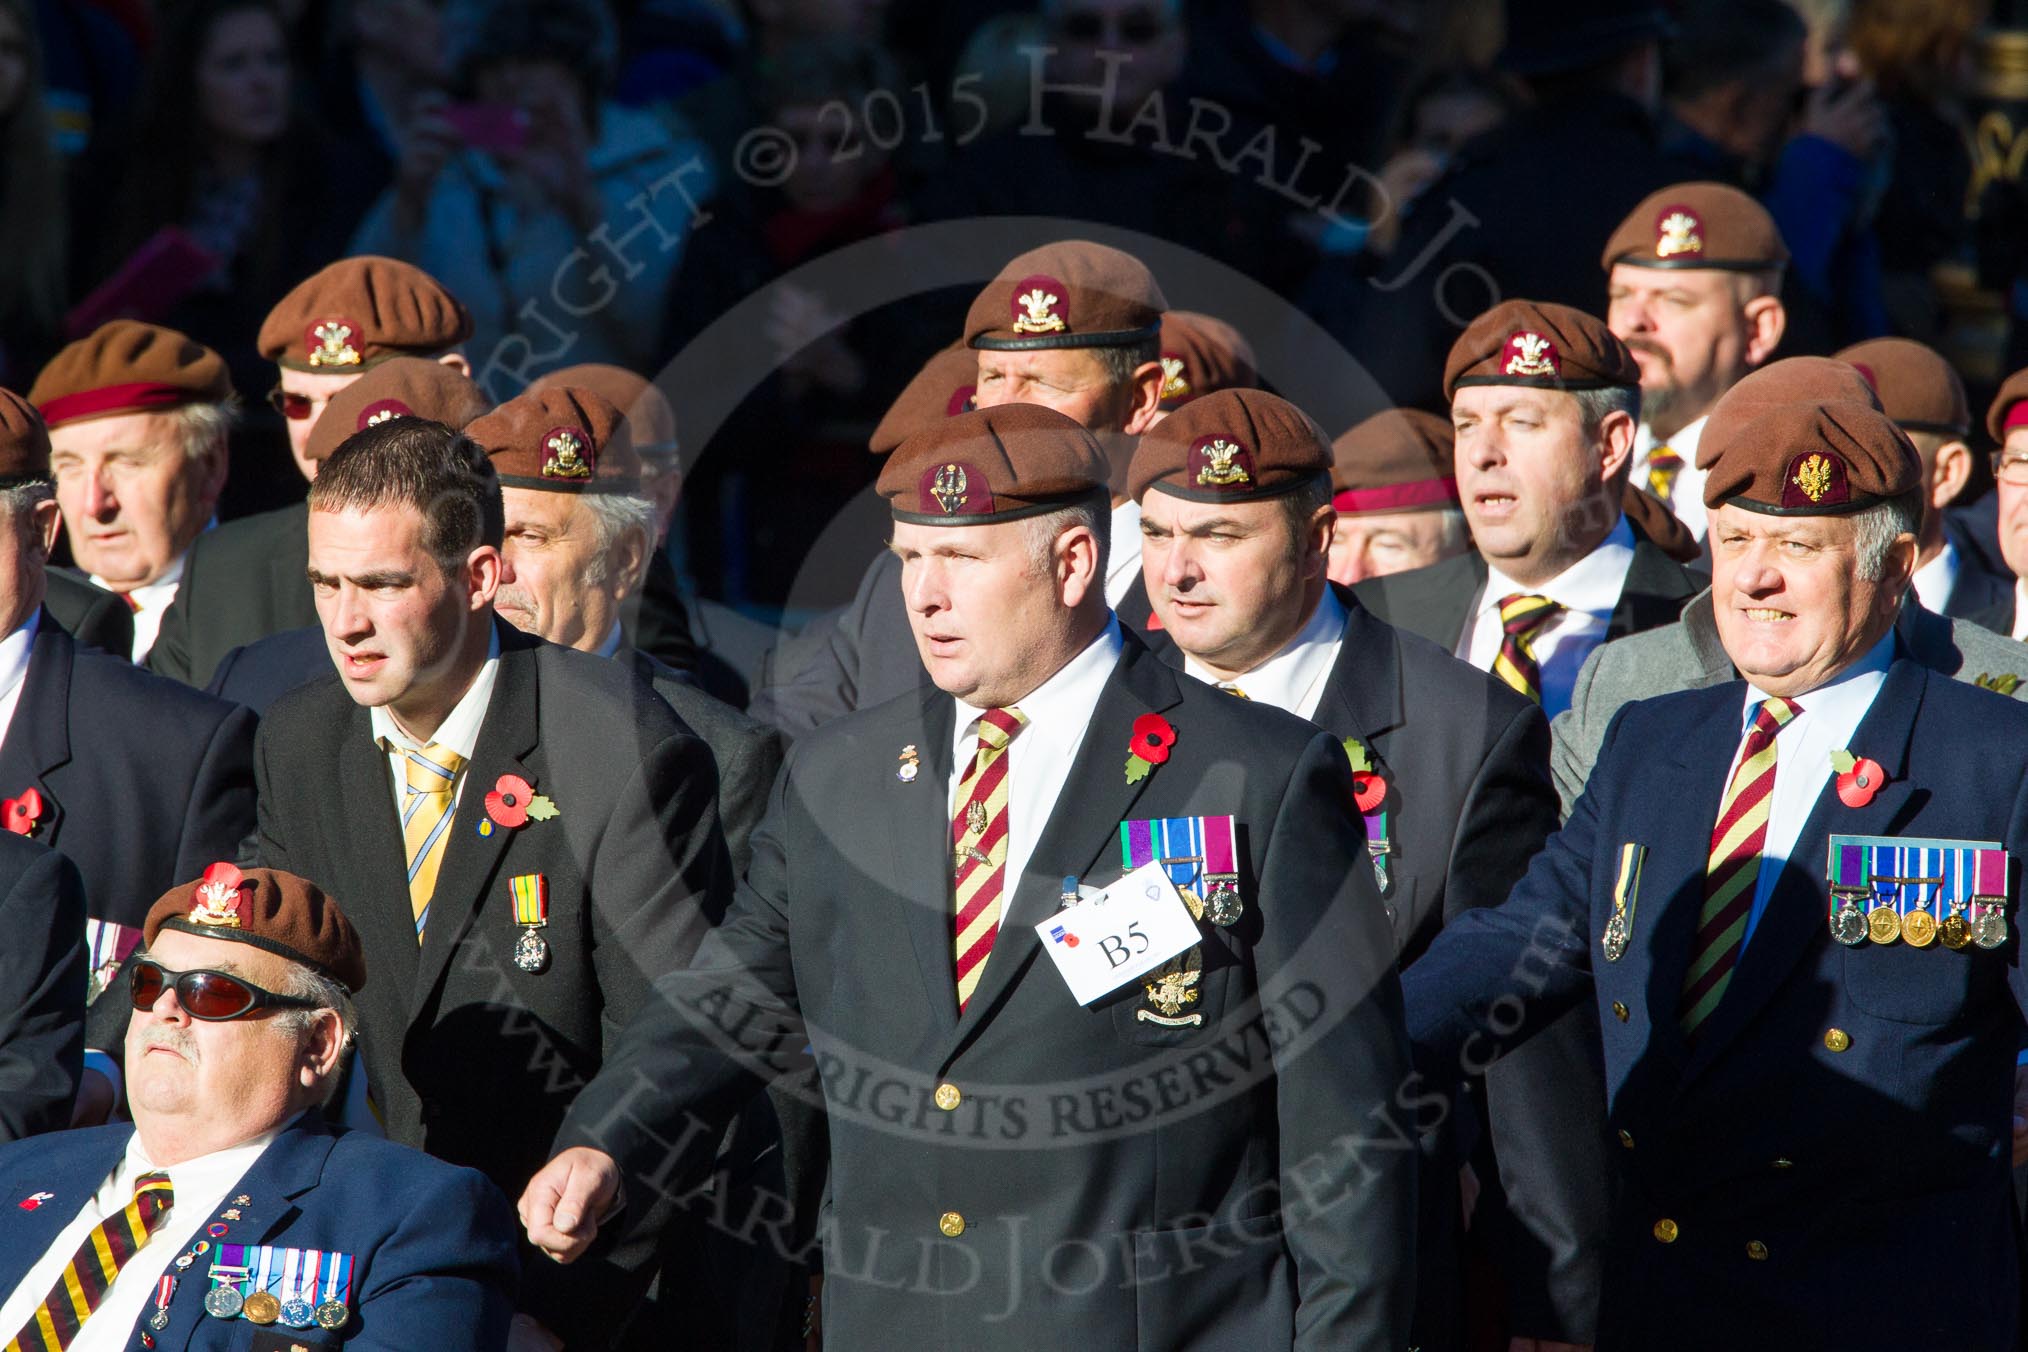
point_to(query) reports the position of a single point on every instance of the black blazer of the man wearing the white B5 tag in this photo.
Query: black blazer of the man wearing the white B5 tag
(1072, 1128)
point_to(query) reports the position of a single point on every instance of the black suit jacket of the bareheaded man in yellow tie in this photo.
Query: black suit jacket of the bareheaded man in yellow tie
(469, 1057)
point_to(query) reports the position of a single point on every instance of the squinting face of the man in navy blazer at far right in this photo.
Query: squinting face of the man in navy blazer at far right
(1790, 603)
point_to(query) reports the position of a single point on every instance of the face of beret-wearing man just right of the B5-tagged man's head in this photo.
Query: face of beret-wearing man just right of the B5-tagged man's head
(1232, 583)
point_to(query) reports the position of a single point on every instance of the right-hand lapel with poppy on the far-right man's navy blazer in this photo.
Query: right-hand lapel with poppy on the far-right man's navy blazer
(1796, 911)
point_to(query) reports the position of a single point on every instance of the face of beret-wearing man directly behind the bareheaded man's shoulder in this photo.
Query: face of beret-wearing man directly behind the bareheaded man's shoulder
(553, 550)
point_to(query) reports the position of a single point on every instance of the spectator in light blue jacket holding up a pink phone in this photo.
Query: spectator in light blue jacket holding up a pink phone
(520, 194)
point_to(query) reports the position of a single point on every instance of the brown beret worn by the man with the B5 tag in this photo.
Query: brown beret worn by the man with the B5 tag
(995, 465)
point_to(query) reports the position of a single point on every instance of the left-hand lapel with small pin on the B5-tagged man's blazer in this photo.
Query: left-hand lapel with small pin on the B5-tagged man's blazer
(920, 826)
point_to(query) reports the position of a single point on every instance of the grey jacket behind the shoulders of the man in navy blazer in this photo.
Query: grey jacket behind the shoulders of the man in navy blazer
(1688, 656)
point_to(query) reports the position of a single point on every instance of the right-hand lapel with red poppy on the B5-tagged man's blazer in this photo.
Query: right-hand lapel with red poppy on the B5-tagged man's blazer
(1084, 824)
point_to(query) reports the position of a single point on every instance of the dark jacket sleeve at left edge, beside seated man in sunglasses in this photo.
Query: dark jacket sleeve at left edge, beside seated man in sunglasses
(42, 988)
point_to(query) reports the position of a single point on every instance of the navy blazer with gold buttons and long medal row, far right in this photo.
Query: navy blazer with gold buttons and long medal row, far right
(1806, 1175)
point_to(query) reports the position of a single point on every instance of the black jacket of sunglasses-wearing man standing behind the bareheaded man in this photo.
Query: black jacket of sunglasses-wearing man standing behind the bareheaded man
(242, 581)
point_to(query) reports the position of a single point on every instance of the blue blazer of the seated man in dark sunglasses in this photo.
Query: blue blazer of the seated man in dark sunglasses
(433, 1244)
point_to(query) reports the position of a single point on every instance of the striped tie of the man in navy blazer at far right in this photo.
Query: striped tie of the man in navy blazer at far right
(1733, 869)
